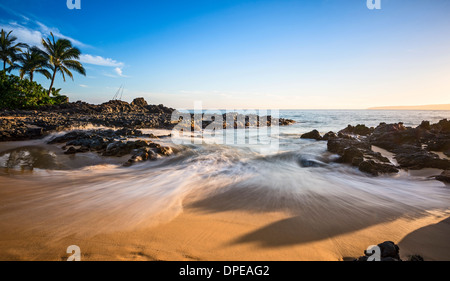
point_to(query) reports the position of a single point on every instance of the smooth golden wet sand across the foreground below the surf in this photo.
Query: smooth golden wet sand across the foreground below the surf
(218, 226)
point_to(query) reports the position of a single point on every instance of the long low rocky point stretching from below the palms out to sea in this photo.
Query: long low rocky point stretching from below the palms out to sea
(23, 124)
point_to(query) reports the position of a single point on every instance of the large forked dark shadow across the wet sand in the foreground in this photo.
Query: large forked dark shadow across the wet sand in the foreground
(313, 216)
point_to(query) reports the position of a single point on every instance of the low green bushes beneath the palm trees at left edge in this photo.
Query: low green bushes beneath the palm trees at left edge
(16, 93)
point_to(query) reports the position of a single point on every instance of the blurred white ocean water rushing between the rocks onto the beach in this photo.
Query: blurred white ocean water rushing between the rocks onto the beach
(299, 177)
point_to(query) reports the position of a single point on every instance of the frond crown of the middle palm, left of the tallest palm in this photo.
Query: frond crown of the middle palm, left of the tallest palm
(33, 60)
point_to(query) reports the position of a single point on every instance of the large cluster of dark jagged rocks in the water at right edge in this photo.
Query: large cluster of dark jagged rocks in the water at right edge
(414, 148)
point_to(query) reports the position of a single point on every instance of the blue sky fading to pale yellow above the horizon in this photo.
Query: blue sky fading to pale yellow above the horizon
(316, 54)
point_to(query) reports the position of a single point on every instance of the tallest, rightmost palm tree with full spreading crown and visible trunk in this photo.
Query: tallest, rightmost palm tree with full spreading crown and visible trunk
(62, 56)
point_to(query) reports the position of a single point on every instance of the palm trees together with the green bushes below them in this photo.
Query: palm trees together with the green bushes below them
(53, 57)
